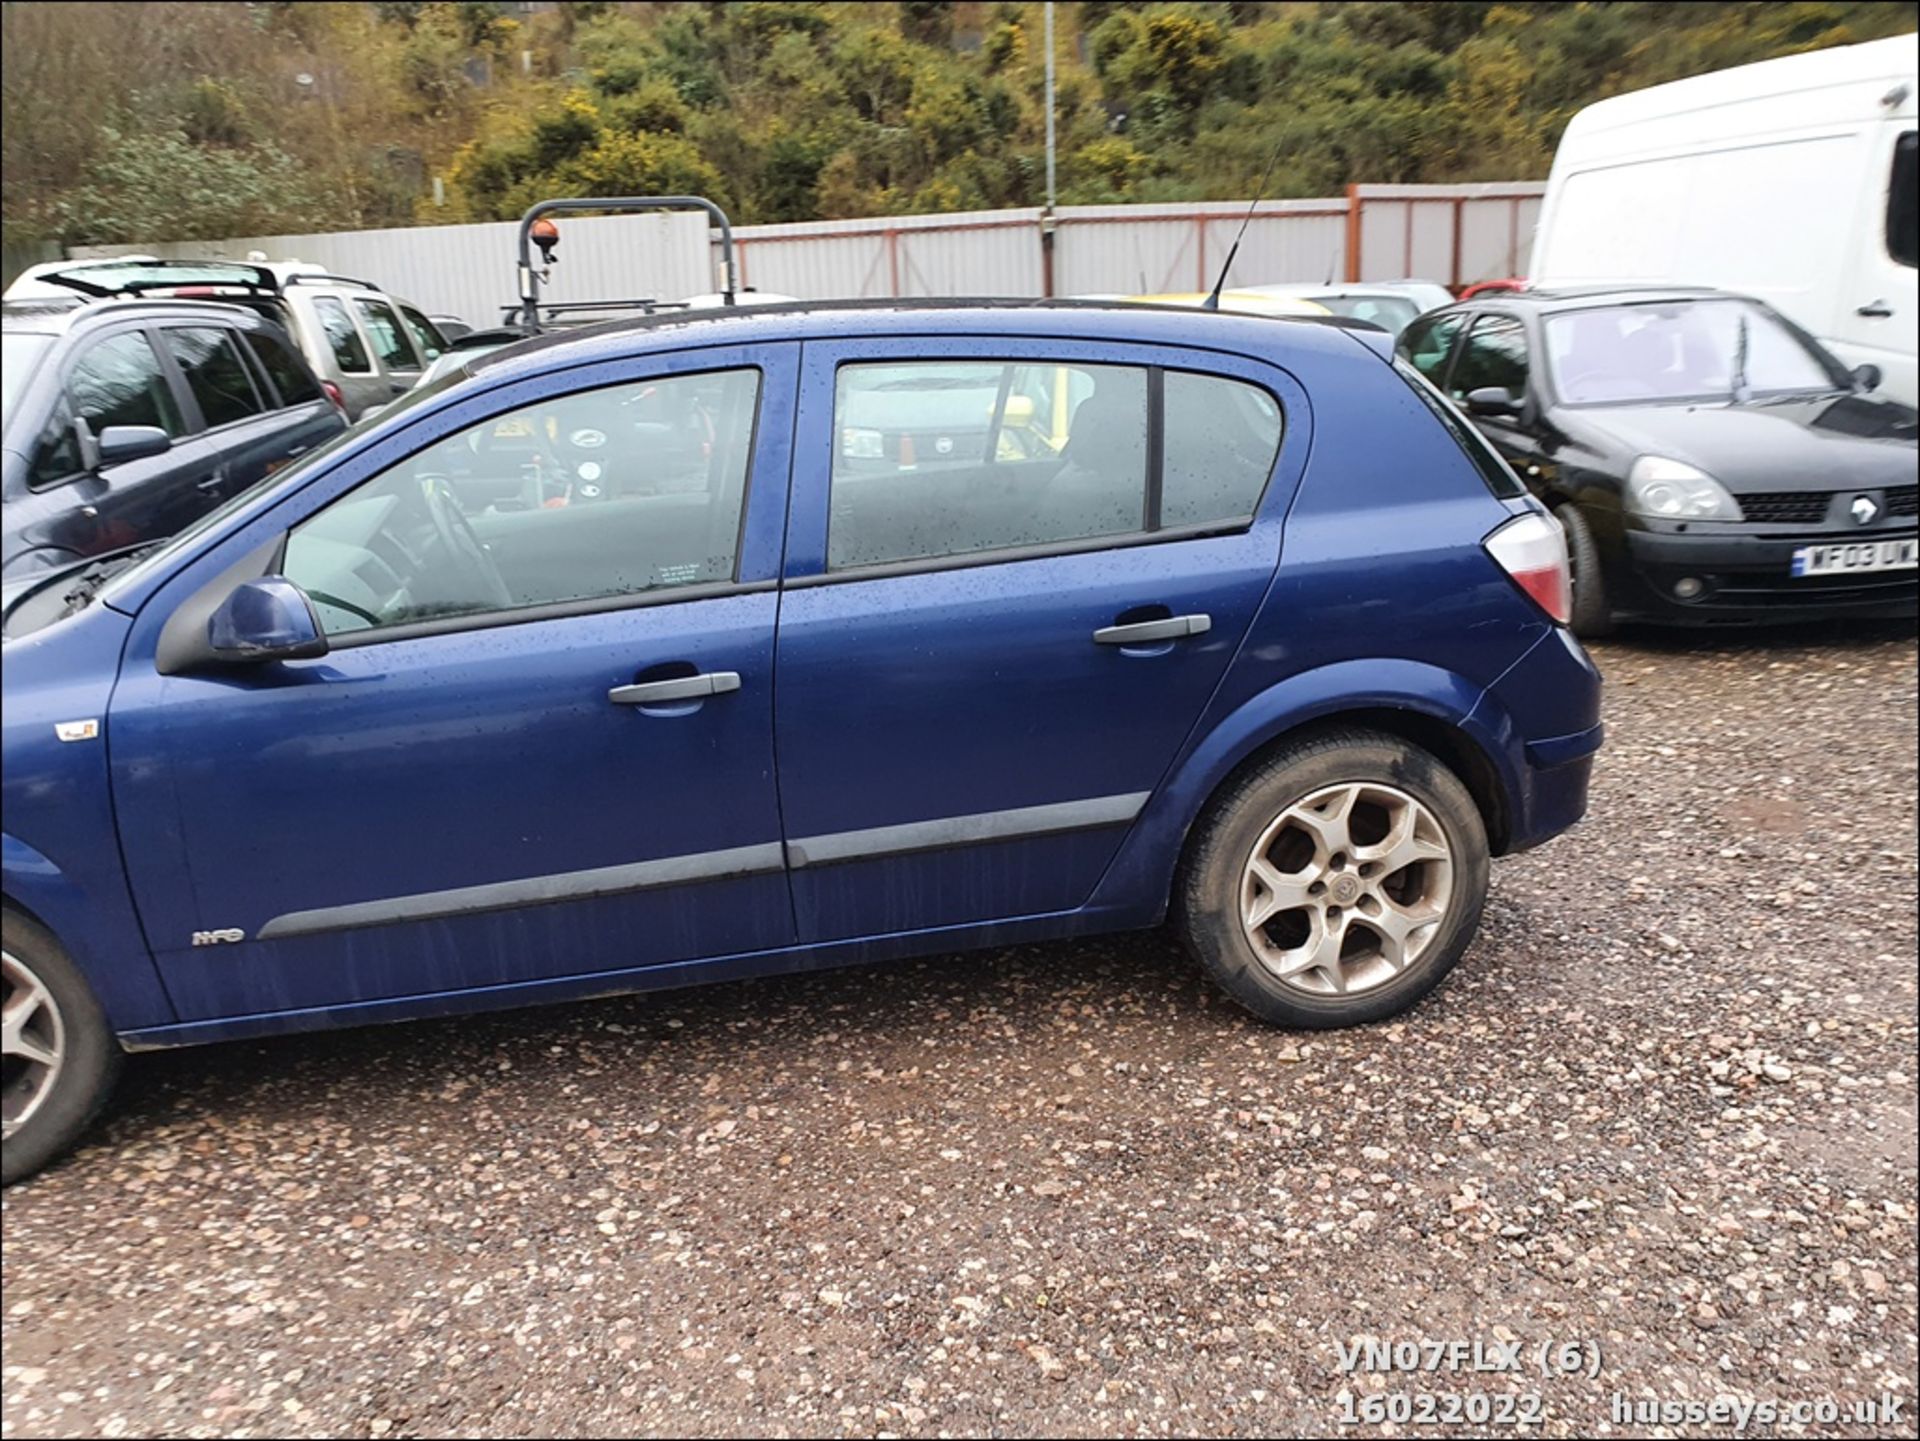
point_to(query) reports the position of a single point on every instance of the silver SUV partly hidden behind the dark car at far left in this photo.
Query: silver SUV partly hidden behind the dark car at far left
(362, 343)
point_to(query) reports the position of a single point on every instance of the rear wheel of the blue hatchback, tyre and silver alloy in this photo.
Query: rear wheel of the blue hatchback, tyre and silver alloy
(1376, 868)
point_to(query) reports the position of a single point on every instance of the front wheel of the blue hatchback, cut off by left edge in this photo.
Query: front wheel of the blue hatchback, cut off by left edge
(60, 1056)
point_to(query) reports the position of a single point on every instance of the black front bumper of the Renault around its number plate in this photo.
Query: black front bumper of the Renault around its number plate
(1748, 579)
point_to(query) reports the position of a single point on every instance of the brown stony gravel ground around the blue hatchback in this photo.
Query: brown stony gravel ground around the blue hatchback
(1666, 1110)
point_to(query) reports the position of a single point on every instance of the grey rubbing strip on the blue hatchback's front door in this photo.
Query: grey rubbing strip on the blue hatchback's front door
(533, 891)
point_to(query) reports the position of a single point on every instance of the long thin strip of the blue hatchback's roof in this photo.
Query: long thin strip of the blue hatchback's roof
(823, 321)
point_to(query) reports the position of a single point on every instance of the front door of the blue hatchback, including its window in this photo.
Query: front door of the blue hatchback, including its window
(542, 744)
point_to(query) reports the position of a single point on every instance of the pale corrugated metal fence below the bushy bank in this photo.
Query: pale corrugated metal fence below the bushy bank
(1454, 235)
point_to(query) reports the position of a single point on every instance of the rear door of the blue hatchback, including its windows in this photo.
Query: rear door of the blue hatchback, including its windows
(996, 638)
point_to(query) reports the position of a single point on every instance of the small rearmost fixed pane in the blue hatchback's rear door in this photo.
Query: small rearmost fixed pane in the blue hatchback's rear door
(1220, 448)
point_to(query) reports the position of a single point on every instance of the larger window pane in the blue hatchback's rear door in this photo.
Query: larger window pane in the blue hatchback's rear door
(942, 458)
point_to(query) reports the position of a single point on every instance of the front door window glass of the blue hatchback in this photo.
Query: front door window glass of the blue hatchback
(600, 496)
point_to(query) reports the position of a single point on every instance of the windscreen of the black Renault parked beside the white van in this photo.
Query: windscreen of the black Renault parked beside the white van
(1691, 350)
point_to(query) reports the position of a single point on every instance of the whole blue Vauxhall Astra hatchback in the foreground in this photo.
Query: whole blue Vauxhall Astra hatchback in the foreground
(727, 646)
